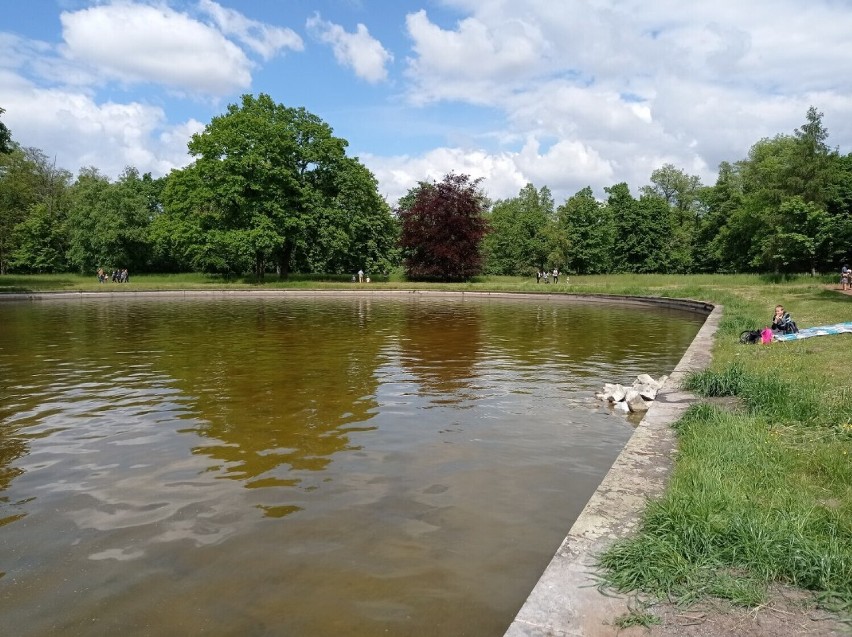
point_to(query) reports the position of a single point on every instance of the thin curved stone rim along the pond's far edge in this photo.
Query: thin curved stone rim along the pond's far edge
(689, 305)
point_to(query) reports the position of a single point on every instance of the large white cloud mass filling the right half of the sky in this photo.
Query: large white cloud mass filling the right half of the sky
(612, 90)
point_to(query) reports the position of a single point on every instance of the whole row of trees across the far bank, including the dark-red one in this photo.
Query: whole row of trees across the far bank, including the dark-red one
(272, 190)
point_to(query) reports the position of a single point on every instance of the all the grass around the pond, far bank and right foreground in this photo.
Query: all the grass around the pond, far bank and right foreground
(762, 490)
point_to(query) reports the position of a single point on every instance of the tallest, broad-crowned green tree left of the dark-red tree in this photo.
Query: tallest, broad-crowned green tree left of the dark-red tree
(271, 186)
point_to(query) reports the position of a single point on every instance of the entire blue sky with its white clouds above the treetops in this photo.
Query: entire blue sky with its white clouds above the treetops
(561, 94)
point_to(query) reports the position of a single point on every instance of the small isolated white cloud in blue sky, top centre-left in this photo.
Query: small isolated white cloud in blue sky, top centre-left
(359, 51)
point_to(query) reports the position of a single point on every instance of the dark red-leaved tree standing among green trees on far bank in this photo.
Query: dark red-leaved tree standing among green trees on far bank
(442, 229)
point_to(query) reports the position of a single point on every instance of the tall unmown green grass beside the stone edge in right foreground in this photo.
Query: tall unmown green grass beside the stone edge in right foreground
(757, 496)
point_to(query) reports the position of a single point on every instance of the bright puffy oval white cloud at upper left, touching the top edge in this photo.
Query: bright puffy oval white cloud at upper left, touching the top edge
(135, 43)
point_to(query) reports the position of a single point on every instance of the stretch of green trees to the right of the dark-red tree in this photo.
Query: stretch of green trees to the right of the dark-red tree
(787, 207)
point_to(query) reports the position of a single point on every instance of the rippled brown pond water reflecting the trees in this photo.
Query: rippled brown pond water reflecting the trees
(314, 467)
